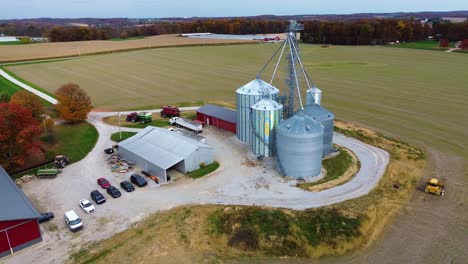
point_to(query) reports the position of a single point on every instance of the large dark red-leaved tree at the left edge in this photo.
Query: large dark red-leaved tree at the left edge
(18, 136)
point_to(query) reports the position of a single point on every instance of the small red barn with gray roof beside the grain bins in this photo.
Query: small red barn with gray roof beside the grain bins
(218, 116)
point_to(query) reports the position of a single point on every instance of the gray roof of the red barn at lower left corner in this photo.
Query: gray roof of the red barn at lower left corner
(15, 205)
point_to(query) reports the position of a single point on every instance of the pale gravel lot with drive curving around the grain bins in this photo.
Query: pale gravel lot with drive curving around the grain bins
(237, 181)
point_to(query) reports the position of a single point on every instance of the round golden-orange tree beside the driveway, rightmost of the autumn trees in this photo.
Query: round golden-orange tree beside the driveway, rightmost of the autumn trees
(73, 103)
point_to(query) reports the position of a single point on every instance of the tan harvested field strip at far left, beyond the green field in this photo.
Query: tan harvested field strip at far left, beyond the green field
(12, 53)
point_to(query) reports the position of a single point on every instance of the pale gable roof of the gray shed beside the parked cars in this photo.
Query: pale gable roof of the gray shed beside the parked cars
(161, 147)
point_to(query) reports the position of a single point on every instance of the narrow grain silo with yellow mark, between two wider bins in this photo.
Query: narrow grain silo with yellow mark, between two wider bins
(265, 117)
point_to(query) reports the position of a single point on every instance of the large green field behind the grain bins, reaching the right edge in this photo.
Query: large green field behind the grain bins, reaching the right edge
(417, 95)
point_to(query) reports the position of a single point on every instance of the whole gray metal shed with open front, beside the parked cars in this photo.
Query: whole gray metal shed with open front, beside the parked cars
(157, 150)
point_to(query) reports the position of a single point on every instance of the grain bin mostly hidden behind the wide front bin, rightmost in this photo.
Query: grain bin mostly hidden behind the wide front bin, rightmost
(326, 118)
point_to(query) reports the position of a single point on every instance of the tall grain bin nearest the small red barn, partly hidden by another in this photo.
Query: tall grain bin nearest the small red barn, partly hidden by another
(246, 96)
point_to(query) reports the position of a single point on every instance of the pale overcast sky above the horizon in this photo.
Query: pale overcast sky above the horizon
(11, 9)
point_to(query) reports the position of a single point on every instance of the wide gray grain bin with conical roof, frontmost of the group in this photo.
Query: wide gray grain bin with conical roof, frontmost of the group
(299, 141)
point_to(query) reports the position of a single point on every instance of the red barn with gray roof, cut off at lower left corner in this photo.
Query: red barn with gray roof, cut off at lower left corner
(18, 218)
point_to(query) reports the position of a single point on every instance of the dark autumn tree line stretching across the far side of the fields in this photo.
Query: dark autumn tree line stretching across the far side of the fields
(360, 32)
